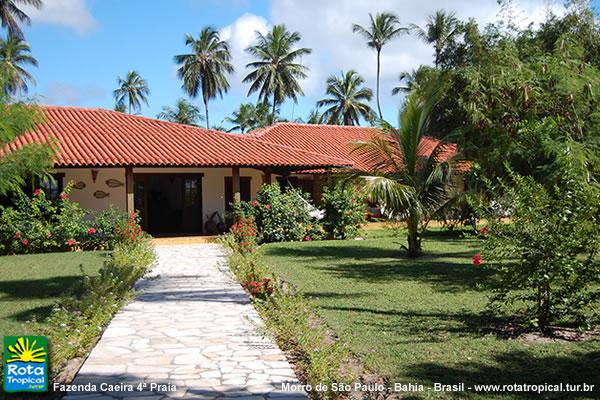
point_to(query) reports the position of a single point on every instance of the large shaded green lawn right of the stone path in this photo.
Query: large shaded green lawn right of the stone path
(422, 320)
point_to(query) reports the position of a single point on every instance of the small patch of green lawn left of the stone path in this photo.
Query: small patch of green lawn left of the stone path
(30, 284)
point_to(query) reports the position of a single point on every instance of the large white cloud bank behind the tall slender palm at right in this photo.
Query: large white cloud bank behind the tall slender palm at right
(326, 27)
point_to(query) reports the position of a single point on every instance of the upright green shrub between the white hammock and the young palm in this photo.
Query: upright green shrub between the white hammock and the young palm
(344, 211)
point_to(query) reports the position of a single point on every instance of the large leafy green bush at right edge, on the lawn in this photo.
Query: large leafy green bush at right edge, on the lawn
(546, 256)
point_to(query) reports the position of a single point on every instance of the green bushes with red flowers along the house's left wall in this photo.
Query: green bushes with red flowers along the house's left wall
(37, 224)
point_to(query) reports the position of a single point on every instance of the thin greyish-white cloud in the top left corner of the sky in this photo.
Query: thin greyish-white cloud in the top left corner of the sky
(73, 14)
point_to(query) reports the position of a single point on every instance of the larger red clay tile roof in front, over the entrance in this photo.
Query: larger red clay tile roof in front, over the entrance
(99, 137)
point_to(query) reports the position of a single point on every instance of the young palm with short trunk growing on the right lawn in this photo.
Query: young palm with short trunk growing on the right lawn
(409, 178)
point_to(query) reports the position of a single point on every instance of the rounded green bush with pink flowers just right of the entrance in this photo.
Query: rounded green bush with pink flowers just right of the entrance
(279, 216)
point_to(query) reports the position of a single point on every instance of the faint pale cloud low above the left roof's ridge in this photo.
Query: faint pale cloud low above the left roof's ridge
(60, 93)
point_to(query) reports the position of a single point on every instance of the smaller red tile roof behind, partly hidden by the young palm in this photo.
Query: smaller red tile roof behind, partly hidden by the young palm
(333, 140)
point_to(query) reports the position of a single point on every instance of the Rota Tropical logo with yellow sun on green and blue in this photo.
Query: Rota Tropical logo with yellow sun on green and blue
(25, 364)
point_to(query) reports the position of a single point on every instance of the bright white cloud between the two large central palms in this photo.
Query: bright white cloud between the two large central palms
(241, 34)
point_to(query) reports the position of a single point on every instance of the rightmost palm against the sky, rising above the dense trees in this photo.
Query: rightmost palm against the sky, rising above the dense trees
(440, 28)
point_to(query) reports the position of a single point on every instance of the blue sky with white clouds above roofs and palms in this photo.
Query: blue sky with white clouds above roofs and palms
(83, 45)
